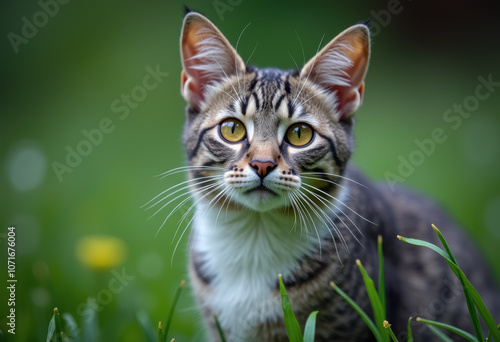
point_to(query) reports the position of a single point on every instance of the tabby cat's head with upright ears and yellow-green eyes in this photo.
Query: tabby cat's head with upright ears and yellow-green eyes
(266, 138)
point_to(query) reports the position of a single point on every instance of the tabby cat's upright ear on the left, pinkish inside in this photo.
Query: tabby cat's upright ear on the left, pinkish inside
(207, 58)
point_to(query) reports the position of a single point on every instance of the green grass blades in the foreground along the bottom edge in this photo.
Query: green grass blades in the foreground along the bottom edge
(379, 326)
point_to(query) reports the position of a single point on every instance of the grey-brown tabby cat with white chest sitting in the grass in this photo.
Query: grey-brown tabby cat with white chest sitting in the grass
(274, 193)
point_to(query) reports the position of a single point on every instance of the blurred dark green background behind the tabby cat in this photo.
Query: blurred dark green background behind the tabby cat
(64, 79)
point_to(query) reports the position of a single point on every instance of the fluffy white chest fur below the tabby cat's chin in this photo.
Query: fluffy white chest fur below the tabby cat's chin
(244, 252)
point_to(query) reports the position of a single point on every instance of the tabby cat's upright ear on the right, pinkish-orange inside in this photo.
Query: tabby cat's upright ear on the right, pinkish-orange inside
(340, 67)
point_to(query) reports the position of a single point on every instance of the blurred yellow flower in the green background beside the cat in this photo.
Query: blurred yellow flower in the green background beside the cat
(100, 252)
